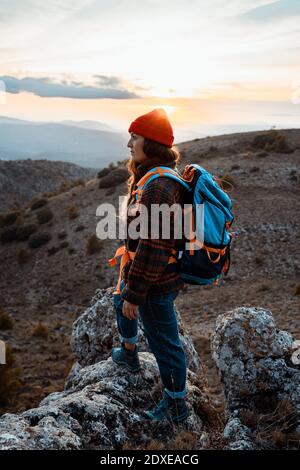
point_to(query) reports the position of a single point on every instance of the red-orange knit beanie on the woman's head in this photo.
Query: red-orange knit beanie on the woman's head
(155, 126)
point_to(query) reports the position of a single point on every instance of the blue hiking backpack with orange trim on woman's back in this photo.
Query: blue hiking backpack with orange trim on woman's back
(206, 264)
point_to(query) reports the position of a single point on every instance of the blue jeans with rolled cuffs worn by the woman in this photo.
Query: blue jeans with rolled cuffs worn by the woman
(159, 323)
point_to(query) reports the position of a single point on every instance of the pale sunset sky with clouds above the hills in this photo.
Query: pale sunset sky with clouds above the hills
(215, 65)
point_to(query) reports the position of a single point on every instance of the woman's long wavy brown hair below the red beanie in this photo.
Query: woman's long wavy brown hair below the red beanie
(157, 154)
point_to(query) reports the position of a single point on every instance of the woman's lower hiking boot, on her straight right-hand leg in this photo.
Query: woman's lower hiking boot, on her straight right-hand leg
(173, 410)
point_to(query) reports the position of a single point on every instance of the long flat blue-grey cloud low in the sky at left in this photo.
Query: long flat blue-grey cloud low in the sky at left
(45, 87)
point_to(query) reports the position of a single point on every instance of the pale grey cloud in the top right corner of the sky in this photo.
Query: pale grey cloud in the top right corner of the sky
(277, 10)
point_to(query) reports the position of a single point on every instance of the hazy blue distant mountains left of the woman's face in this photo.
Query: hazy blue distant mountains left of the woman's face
(86, 143)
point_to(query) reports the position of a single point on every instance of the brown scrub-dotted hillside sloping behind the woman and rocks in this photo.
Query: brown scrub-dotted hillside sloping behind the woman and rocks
(57, 280)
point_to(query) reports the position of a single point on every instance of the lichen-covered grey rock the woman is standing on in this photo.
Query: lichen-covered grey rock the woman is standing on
(102, 406)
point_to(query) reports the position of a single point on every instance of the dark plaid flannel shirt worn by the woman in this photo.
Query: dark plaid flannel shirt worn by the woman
(149, 272)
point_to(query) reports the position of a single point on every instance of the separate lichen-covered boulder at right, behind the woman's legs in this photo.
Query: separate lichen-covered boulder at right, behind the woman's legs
(261, 380)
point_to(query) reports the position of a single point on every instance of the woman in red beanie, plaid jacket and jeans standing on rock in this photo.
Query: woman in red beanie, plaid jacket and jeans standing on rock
(150, 282)
